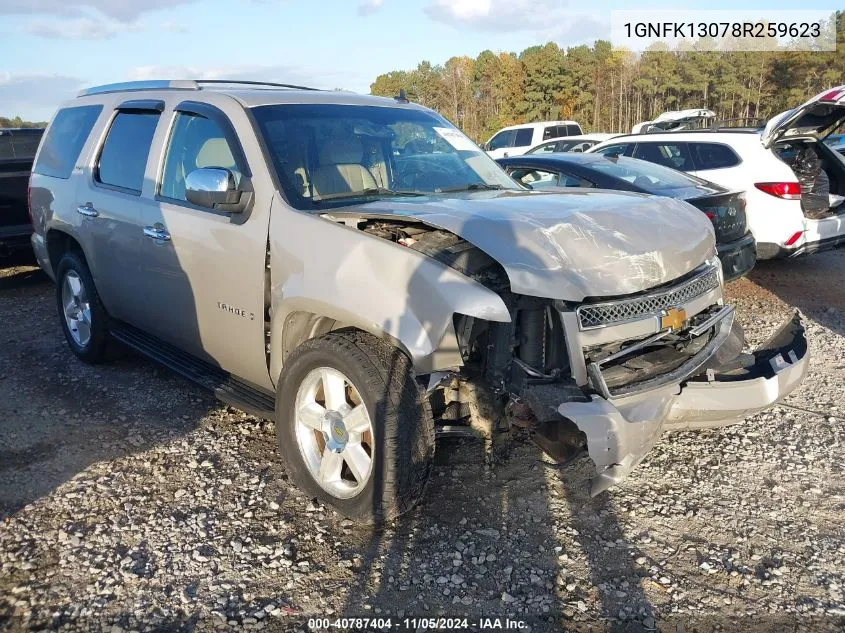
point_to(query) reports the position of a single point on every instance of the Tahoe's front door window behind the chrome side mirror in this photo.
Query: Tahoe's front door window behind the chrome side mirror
(195, 142)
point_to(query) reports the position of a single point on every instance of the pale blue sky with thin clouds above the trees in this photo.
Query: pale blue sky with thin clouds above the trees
(49, 49)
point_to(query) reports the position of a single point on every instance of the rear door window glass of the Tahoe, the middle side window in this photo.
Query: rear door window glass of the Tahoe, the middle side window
(123, 158)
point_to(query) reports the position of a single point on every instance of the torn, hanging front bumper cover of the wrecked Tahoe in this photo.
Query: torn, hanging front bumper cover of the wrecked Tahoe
(620, 431)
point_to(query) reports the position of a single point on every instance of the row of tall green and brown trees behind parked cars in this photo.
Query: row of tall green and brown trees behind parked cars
(609, 90)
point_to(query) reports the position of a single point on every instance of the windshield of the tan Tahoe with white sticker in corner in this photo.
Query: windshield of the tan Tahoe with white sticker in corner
(329, 155)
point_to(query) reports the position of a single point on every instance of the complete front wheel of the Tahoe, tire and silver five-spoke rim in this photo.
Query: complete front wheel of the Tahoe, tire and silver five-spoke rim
(325, 435)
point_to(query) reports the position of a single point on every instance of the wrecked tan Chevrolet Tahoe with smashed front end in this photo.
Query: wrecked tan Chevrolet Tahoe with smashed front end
(360, 271)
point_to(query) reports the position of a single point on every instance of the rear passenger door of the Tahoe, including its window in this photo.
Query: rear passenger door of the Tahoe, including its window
(108, 206)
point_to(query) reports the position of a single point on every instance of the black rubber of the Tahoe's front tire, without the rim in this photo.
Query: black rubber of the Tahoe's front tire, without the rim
(400, 415)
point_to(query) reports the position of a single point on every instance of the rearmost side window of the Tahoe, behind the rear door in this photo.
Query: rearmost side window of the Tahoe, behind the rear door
(64, 140)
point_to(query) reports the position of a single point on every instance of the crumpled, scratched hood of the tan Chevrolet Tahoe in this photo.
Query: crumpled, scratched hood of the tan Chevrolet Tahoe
(568, 245)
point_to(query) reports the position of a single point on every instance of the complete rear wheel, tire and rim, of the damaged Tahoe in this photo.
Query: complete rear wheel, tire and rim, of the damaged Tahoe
(82, 315)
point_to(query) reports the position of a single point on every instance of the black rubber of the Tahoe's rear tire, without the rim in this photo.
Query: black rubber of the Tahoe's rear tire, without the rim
(96, 350)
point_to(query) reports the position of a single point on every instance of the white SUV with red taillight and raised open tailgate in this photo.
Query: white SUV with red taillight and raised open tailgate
(790, 211)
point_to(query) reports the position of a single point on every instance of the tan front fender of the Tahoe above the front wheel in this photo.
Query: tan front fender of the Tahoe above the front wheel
(362, 281)
